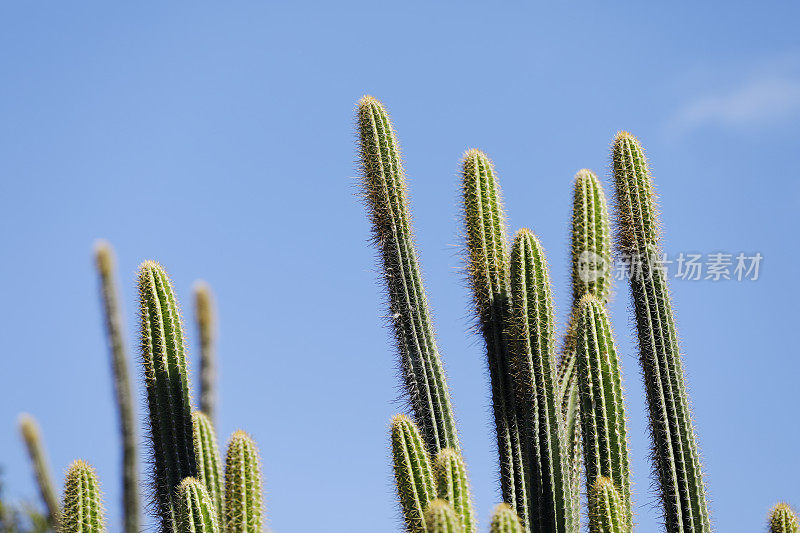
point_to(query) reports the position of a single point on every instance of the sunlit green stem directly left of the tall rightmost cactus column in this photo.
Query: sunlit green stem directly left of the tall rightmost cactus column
(604, 428)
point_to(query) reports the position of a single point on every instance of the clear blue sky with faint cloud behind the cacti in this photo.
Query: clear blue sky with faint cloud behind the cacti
(220, 141)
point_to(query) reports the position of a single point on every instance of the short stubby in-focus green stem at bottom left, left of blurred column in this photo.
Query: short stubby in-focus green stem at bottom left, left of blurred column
(82, 510)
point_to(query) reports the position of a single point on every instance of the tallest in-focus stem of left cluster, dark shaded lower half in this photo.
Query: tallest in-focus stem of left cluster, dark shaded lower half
(167, 384)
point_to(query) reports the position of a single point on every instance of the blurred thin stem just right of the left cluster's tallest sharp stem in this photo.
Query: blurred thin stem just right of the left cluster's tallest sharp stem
(206, 328)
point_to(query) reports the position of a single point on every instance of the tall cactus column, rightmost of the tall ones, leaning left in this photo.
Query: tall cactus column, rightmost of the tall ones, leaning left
(675, 452)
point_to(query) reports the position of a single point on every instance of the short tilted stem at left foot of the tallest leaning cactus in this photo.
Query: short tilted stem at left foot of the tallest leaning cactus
(413, 474)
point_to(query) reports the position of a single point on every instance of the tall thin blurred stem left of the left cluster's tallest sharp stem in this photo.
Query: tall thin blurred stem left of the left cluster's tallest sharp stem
(104, 260)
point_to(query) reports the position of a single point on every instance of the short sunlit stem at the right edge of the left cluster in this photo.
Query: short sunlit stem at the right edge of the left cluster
(244, 503)
